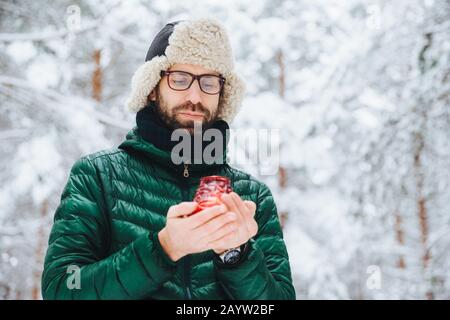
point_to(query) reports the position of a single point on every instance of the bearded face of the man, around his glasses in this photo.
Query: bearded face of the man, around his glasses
(180, 109)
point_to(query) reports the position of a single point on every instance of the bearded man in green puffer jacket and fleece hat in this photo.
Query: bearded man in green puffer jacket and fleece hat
(124, 228)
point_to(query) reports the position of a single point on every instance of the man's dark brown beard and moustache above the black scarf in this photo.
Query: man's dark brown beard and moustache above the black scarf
(171, 116)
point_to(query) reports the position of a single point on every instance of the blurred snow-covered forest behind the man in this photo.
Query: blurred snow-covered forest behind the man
(360, 90)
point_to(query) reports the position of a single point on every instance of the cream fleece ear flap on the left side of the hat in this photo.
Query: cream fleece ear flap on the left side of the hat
(144, 81)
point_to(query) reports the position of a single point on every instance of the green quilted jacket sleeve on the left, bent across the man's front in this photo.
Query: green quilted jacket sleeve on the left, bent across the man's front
(79, 241)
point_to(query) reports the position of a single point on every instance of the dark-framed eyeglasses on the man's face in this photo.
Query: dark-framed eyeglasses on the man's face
(182, 80)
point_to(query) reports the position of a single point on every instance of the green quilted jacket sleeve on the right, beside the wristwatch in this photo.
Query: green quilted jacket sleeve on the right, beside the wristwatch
(264, 271)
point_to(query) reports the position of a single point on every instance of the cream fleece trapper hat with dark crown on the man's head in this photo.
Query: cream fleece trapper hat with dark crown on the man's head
(202, 42)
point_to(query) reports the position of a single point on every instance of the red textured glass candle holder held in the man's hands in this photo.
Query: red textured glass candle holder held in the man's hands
(210, 191)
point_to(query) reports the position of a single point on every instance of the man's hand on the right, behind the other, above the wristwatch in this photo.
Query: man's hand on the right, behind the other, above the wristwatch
(246, 226)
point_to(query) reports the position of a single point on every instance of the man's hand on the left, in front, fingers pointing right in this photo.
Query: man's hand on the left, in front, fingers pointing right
(182, 236)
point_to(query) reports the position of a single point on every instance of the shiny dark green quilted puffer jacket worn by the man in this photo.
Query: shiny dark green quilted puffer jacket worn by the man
(107, 223)
